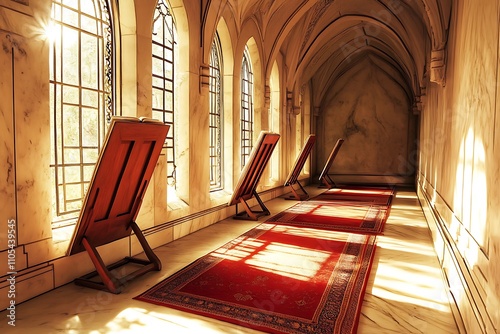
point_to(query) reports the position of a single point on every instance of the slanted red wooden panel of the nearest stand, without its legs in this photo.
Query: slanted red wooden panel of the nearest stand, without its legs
(121, 176)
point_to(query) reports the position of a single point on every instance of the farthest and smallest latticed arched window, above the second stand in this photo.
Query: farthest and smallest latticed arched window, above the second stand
(246, 107)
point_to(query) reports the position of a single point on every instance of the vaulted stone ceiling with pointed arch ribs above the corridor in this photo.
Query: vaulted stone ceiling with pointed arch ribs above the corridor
(322, 39)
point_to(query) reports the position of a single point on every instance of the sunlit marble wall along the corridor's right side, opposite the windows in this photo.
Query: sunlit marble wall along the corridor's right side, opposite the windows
(465, 173)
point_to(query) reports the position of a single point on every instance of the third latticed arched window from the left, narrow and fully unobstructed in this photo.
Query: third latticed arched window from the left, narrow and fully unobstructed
(215, 124)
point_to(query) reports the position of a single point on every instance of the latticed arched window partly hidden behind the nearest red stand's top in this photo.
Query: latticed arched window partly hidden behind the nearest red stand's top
(164, 40)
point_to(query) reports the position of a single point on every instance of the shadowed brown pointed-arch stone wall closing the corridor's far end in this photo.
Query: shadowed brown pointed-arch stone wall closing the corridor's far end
(368, 109)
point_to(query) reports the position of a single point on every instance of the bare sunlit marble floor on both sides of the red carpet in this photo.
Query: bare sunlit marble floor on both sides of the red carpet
(405, 292)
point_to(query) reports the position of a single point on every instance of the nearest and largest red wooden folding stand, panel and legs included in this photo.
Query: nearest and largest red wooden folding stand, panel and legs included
(121, 176)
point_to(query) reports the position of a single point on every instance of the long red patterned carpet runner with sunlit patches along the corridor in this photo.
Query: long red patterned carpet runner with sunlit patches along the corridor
(292, 274)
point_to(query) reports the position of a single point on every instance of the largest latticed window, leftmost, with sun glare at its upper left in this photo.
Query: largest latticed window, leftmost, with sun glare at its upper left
(81, 97)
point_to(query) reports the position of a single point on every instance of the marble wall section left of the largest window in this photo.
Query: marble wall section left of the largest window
(27, 81)
